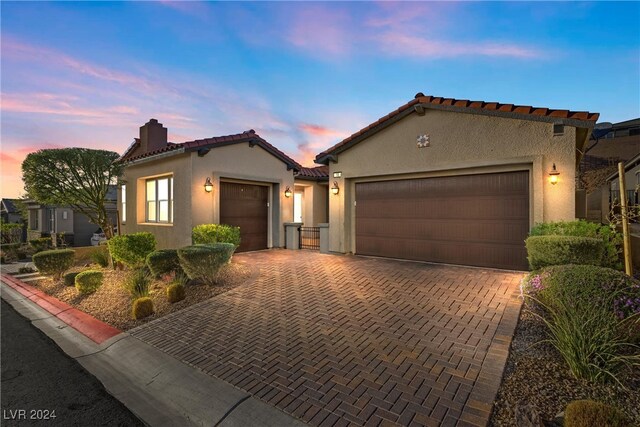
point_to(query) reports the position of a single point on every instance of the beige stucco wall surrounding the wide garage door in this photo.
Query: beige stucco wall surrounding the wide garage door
(460, 143)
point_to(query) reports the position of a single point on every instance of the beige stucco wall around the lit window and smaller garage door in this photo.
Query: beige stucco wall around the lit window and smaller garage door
(192, 204)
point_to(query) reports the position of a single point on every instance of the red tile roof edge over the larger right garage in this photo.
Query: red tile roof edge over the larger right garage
(427, 101)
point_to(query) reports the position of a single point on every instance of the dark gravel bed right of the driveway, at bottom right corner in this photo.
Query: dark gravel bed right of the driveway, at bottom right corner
(537, 375)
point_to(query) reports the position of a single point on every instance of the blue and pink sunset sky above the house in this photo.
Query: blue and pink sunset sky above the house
(303, 75)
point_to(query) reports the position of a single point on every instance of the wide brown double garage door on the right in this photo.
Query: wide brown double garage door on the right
(477, 220)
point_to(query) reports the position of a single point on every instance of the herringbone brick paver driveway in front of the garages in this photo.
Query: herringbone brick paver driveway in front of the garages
(338, 340)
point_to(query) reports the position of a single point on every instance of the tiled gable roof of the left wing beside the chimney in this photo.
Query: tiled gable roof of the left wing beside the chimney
(204, 145)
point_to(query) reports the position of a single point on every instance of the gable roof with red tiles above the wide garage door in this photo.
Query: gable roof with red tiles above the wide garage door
(421, 102)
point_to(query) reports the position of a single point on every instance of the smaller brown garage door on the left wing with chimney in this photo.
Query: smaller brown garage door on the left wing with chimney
(246, 206)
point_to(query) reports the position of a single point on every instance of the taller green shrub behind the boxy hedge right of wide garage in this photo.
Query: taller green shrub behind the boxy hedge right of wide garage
(611, 239)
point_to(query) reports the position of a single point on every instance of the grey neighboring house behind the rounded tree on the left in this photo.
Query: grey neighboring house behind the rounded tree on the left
(78, 230)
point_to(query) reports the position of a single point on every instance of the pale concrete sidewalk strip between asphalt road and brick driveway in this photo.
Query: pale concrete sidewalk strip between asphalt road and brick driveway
(157, 388)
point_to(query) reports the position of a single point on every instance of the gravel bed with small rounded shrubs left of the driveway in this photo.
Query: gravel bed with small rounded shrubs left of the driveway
(111, 303)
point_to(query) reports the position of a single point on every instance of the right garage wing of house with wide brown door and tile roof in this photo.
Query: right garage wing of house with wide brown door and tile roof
(454, 181)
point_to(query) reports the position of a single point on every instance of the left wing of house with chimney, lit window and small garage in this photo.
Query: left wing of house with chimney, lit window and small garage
(240, 180)
